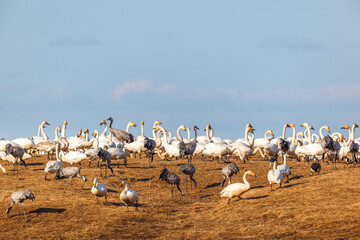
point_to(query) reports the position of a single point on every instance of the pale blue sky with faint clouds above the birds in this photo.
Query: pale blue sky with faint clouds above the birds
(188, 62)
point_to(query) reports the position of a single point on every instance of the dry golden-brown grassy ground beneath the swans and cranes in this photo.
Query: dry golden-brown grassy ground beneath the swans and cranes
(325, 206)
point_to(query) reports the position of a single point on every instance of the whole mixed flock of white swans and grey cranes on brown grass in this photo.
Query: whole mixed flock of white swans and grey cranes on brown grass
(120, 145)
